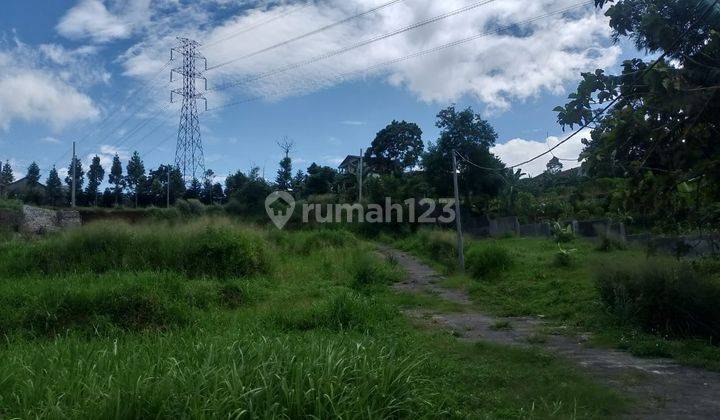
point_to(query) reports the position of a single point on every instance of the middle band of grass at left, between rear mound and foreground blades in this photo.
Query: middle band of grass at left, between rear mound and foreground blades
(109, 303)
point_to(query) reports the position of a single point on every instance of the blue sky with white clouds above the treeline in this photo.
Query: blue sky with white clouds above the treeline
(98, 72)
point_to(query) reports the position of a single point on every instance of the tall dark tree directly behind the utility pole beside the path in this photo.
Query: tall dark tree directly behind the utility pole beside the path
(471, 136)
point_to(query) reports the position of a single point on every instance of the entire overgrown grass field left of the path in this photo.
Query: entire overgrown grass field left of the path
(217, 320)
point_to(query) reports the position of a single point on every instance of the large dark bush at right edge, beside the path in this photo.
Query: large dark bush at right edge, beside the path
(662, 296)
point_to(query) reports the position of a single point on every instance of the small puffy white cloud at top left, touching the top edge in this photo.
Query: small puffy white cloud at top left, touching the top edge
(91, 19)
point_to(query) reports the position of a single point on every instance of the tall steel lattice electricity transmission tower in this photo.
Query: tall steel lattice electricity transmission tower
(189, 157)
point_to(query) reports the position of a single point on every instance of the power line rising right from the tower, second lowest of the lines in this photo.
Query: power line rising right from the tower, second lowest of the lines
(353, 47)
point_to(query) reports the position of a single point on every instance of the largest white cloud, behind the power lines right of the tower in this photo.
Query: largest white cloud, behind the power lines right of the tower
(540, 56)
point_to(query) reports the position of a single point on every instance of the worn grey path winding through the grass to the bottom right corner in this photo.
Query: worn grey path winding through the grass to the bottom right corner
(662, 389)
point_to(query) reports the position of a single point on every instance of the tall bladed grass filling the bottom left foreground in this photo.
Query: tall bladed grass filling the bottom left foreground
(231, 376)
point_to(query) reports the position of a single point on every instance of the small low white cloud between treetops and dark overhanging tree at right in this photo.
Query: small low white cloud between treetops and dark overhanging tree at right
(518, 150)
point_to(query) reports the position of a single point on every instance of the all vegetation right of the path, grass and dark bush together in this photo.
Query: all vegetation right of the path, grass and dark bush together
(662, 309)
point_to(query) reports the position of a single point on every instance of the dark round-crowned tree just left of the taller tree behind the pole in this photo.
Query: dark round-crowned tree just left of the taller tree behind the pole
(395, 148)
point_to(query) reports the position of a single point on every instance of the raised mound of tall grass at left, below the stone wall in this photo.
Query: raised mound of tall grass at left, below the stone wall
(217, 249)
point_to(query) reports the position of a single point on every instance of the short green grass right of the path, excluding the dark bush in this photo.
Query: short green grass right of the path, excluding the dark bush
(563, 292)
